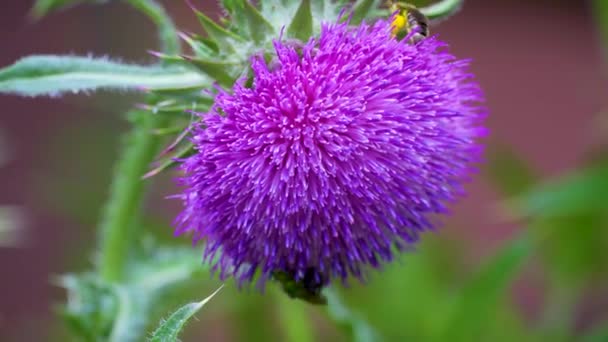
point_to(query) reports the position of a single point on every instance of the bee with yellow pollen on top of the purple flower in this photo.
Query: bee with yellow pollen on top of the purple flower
(407, 20)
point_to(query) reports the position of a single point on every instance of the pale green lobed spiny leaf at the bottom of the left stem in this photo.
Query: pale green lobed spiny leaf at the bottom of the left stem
(118, 312)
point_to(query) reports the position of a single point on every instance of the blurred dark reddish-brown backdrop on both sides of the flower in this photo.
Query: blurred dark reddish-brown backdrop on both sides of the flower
(539, 62)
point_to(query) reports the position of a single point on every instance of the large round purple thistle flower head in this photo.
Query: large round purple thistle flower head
(335, 158)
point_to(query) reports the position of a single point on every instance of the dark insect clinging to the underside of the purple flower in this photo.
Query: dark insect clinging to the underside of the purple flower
(307, 289)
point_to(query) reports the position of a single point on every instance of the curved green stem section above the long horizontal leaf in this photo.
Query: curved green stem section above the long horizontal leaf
(167, 31)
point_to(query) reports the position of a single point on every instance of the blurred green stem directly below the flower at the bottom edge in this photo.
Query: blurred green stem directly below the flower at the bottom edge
(294, 319)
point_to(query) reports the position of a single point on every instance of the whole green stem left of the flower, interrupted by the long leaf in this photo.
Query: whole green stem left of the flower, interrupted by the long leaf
(119, 222)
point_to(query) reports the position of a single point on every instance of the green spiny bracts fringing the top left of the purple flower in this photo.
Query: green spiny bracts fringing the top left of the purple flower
(224, 53)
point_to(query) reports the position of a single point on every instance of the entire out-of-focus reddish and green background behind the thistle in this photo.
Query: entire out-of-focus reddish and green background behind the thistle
(543, 68)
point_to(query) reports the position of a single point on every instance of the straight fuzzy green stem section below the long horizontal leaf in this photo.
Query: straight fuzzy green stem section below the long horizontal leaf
(126, 193)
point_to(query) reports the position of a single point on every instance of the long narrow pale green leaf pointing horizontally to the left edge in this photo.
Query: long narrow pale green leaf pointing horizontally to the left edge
(54, 75)
